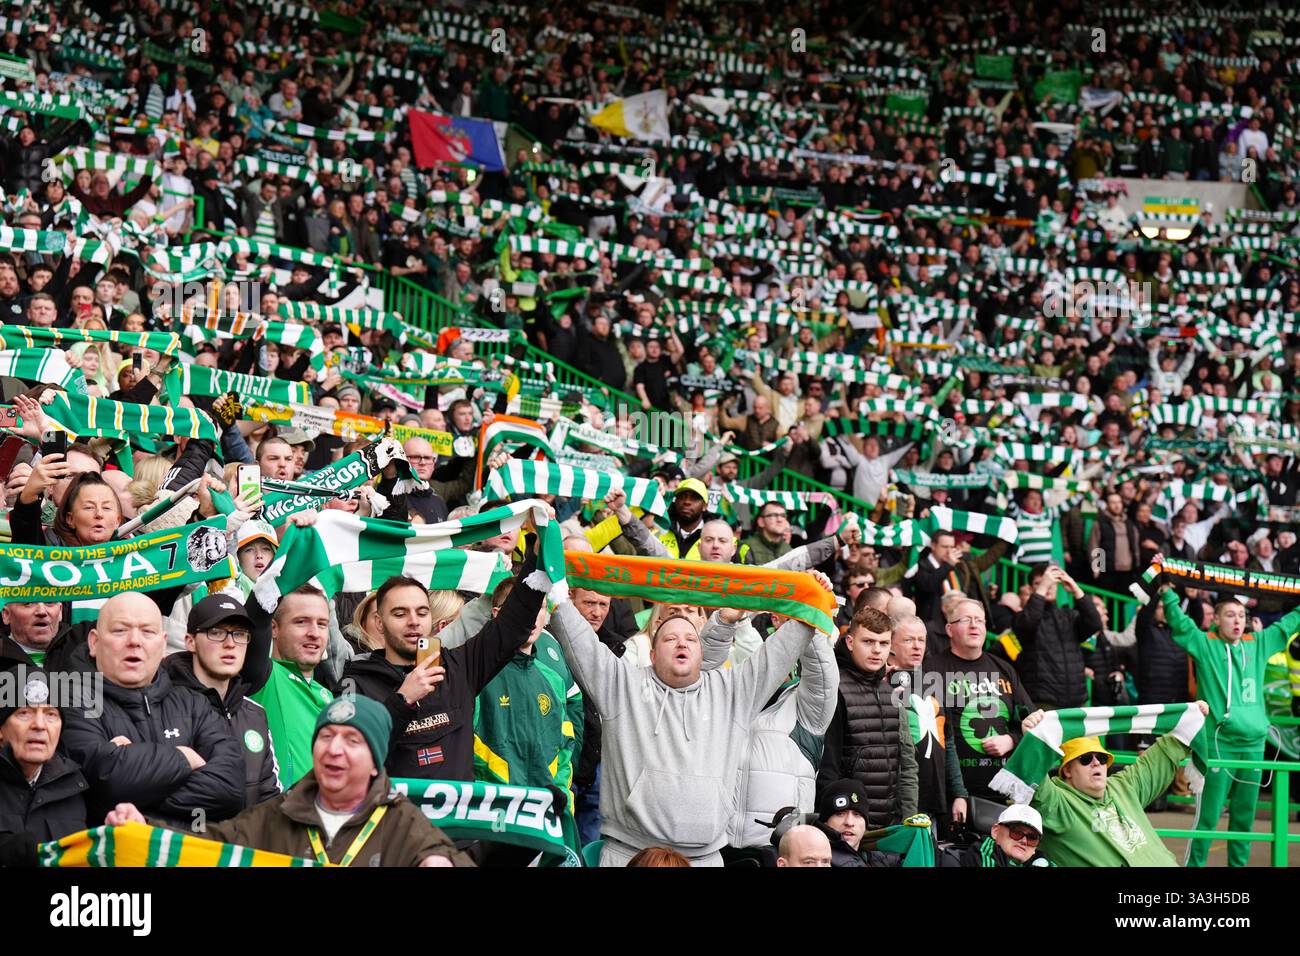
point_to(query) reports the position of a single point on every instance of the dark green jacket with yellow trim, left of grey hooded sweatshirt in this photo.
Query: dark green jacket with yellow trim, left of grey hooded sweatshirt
(523, 734)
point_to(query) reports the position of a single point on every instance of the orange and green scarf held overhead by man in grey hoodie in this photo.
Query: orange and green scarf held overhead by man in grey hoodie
(708, 585)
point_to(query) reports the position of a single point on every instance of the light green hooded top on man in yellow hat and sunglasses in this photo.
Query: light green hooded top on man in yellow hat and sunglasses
(1080, 830)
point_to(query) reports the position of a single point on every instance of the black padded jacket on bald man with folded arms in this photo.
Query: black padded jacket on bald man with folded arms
(151, 772)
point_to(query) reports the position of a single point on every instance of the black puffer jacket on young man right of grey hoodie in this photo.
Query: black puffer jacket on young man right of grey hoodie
(870, 741)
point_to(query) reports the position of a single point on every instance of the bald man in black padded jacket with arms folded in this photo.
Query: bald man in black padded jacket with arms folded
(150, 742)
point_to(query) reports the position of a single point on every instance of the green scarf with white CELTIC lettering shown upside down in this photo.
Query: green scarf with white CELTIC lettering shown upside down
(479, 811)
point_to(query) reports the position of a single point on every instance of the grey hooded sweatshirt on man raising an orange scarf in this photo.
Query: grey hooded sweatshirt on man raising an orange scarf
(671, 756)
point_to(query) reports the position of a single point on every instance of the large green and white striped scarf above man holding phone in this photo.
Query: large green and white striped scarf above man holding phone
(344, 552)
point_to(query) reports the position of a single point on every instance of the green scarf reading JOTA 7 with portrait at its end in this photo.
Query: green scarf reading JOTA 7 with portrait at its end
(170, 559)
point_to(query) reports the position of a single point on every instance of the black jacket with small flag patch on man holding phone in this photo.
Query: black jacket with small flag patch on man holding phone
(436, 738)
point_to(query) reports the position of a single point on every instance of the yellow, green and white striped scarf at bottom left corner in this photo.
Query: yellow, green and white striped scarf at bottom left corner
(137, 845)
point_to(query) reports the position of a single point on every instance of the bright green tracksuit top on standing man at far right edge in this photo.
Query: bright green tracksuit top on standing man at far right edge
(1247, 724)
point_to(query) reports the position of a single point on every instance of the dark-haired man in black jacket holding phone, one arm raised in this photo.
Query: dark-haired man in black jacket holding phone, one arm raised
(434, 703)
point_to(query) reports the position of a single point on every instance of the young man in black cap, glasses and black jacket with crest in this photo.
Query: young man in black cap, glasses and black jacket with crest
(218, 637)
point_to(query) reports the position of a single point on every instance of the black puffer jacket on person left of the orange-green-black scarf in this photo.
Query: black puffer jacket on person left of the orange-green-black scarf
(1051, 664)
